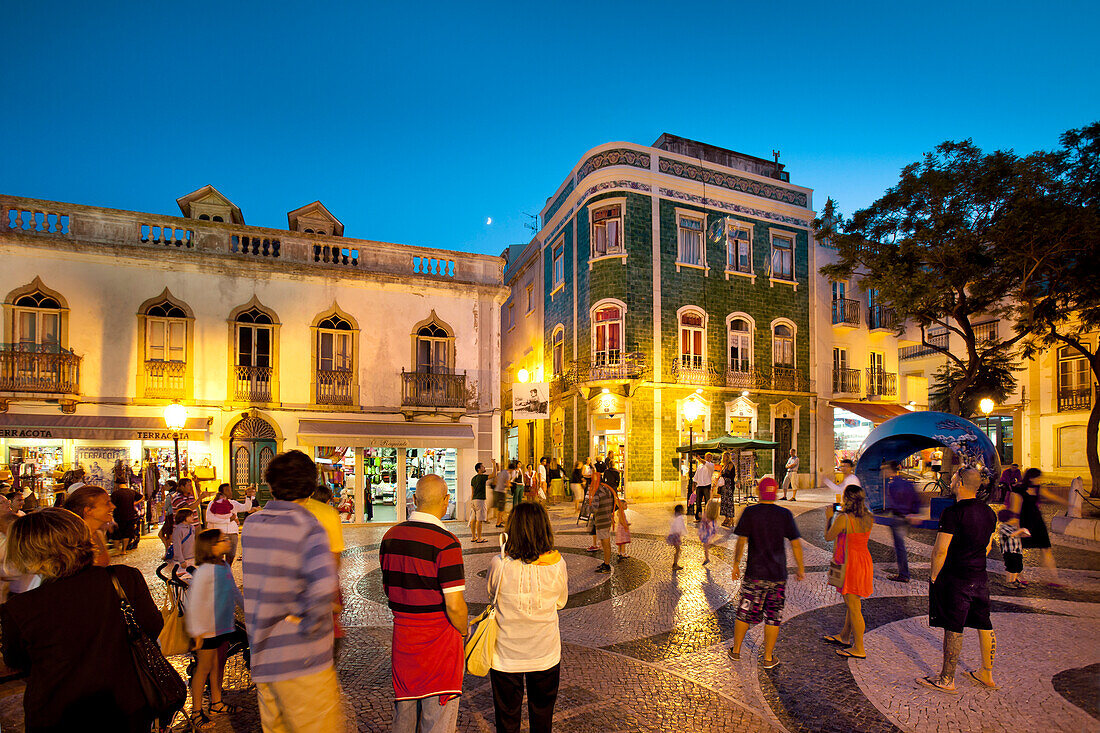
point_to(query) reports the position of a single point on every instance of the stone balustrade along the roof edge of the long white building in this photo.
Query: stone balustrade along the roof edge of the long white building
(91, 225)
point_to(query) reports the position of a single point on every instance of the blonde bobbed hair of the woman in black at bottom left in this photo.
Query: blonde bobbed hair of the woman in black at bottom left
(52, 543)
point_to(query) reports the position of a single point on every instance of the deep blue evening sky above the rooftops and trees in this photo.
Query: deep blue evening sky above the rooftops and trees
(415, 123)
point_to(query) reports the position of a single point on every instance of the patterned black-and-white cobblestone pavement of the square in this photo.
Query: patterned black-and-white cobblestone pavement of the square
(646, 649)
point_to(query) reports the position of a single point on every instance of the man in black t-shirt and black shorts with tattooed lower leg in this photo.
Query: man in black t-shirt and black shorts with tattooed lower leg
(959, 596)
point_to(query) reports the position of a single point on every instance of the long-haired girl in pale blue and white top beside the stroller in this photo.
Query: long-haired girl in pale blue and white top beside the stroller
(212, 600)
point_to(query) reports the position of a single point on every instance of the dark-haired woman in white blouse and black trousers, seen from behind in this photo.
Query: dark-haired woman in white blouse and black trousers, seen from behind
(530, 584)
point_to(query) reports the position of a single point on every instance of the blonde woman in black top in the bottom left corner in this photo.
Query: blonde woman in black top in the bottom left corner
(81, 674)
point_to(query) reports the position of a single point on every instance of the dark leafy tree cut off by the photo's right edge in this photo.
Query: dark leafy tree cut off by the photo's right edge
(1053, 232)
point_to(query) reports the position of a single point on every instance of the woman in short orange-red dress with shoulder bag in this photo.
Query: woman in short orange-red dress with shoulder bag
(852, 530)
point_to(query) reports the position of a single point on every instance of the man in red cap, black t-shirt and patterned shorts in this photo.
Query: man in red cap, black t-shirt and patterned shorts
(764, 527)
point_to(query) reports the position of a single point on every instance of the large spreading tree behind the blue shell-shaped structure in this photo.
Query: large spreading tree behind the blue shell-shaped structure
(930, 248)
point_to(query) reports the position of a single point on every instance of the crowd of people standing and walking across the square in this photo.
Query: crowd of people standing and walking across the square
(58, 563)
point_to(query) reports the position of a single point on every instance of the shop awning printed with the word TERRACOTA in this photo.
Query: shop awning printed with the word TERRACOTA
(97, 428)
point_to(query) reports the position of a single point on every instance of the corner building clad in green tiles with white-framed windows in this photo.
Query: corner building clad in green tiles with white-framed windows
(664, 275)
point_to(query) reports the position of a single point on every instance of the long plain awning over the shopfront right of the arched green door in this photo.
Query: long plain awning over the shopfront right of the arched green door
(368, 434)
